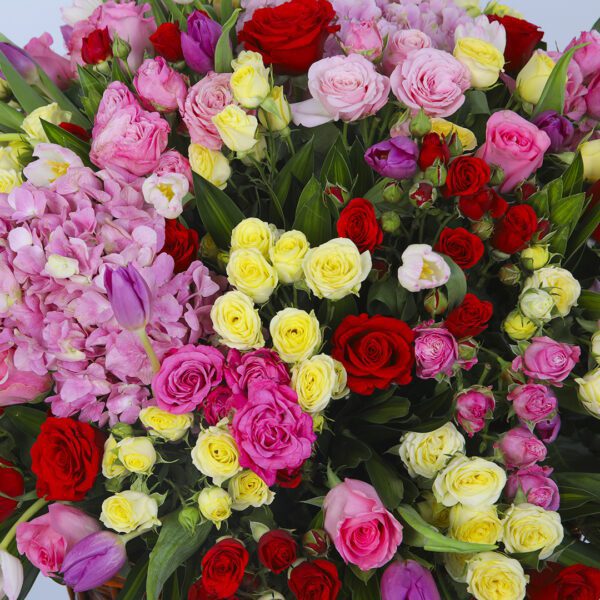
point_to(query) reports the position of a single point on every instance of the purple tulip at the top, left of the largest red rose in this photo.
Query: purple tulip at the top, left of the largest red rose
(199, 42)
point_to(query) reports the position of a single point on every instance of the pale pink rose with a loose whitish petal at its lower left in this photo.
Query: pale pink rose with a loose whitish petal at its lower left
(342, 87)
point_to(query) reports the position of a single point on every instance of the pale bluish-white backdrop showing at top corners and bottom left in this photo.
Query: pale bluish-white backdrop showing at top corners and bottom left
(23, 19)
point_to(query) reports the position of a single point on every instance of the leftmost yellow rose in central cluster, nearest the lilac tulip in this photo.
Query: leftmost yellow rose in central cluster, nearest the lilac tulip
(236, 321)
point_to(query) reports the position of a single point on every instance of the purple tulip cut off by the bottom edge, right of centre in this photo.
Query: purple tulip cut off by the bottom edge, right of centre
(408, 580)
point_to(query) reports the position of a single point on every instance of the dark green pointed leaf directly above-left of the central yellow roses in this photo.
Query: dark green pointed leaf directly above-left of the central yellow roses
(218, 211)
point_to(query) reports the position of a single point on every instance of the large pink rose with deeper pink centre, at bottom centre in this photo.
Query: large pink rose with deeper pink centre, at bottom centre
(363, 531)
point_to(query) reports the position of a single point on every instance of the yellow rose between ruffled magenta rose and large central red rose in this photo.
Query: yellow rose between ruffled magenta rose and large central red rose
(314, 381)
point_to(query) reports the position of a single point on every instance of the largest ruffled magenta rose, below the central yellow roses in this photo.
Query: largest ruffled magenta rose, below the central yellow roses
(271, 430)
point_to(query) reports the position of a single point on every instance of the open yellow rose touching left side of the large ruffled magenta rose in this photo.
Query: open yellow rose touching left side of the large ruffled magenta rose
(216, 454)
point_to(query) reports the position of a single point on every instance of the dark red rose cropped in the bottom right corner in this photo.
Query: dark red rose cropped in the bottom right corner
(576, 582)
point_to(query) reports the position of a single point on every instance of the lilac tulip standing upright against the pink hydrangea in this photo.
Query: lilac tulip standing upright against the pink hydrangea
(129, 296)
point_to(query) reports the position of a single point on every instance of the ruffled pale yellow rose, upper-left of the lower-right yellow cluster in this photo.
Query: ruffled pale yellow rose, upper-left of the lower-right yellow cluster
(426, 454)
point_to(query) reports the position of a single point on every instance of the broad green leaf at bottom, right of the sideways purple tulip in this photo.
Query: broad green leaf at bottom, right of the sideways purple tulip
(173, 547)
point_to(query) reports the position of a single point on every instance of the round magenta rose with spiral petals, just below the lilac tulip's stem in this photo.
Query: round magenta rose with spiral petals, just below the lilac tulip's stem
(186, 376)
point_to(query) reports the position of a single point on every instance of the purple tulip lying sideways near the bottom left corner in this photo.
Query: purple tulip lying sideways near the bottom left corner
(93, 561)
